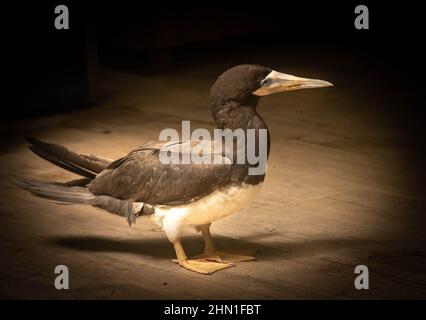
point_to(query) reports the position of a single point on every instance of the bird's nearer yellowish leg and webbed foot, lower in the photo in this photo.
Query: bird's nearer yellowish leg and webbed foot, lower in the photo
(200, 266)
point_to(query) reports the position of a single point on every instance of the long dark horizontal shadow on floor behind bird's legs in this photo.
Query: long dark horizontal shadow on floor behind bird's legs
(161, 247)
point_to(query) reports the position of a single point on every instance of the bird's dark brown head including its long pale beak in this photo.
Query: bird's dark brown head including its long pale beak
(248, 82)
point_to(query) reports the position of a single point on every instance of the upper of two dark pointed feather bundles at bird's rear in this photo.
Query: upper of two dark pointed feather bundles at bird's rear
(86, 166)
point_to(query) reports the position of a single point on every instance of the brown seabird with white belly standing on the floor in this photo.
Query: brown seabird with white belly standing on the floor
(176, 196)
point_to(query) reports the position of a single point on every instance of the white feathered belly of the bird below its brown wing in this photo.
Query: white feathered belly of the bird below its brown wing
(218, 204)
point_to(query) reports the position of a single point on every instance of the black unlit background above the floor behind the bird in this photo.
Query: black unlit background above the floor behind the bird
(47, 68)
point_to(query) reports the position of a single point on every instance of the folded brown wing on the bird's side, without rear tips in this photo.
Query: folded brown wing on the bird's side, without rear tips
(143, 176)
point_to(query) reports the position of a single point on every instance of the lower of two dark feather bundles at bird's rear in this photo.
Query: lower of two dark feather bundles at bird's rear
(56, 191)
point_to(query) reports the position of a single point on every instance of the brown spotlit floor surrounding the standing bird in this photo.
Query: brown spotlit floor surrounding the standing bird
(337, 195)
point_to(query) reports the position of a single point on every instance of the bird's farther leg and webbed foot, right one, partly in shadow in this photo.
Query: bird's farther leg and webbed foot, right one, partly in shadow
(223, 256)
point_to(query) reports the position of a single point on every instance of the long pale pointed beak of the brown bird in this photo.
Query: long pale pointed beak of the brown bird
(280, 82)
